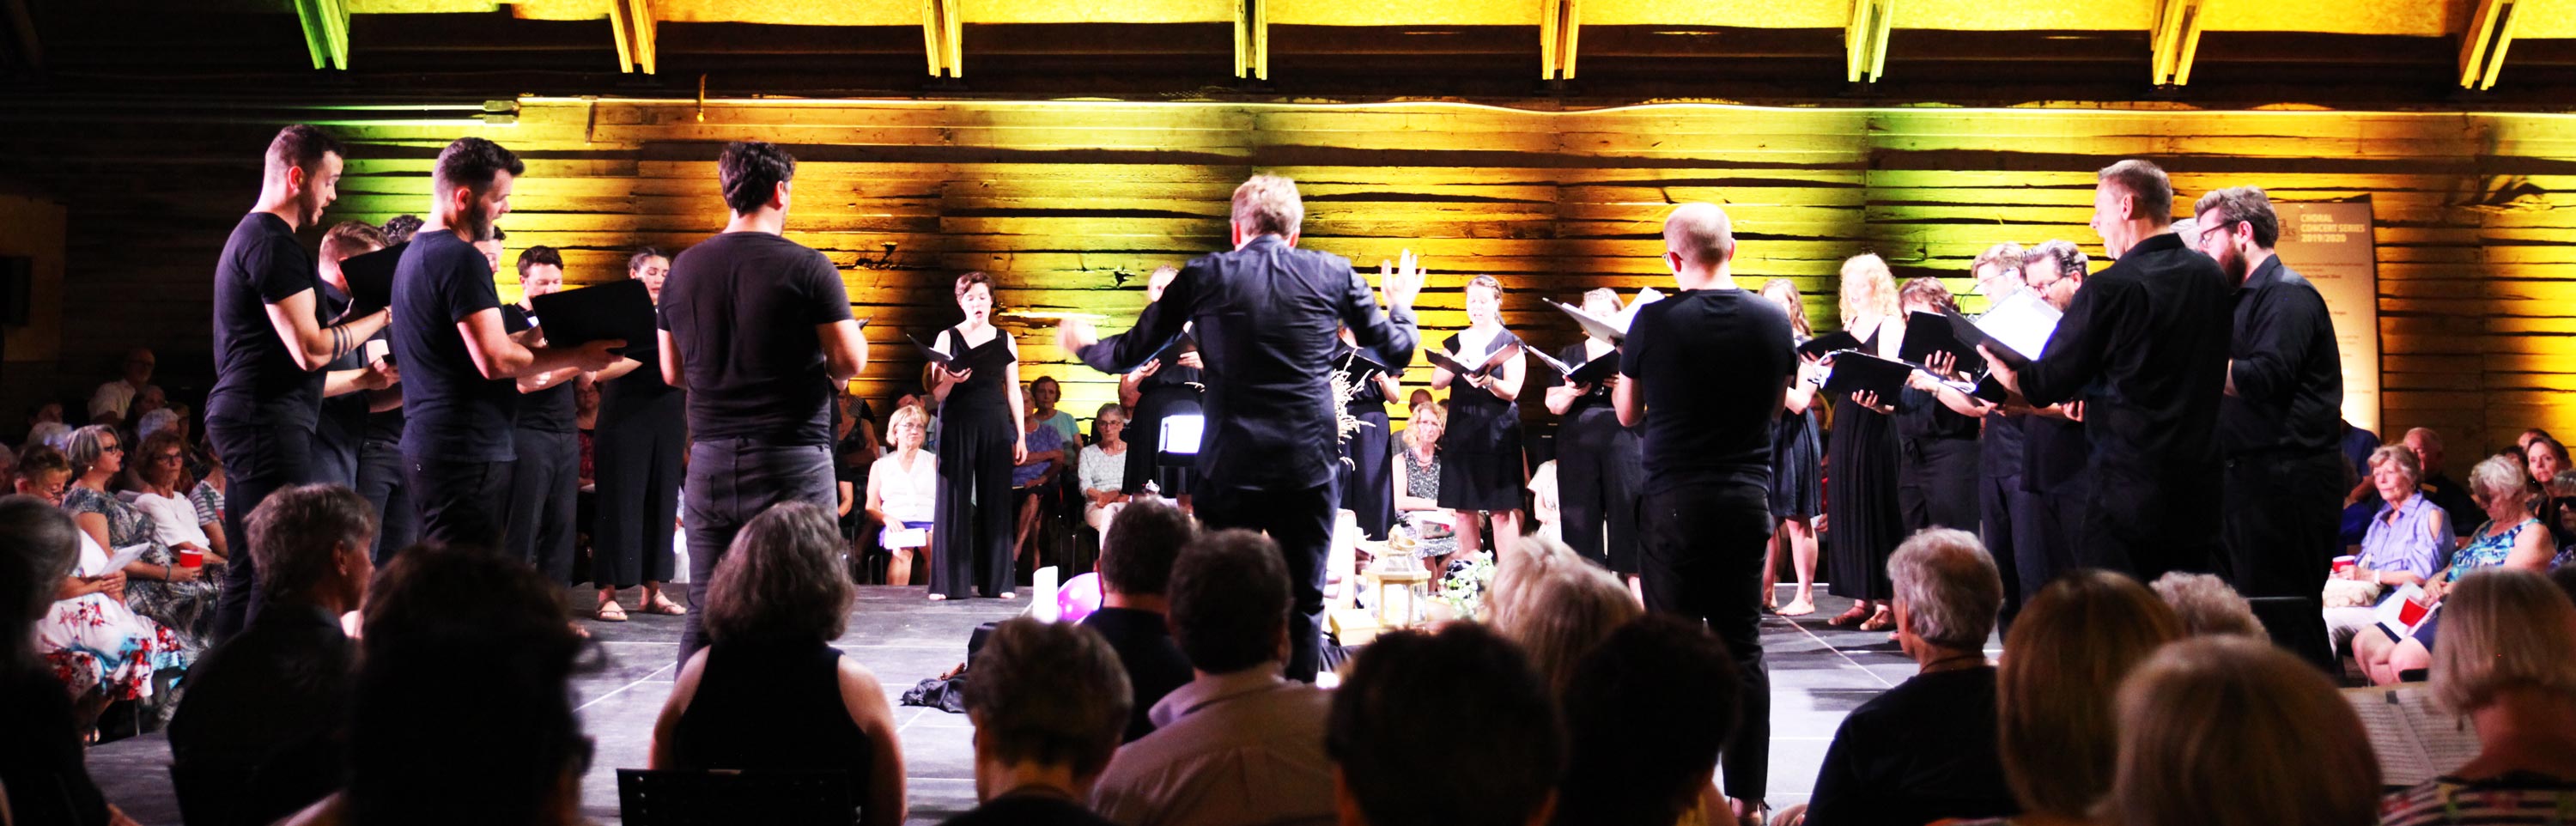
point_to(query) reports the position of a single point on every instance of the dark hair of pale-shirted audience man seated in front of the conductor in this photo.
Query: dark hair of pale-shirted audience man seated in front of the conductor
(1230, 601)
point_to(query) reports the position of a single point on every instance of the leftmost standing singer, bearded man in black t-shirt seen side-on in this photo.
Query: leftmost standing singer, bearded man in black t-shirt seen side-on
(272, 349)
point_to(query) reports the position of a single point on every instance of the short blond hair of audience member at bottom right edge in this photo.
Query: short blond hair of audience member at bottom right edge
(2503, 629)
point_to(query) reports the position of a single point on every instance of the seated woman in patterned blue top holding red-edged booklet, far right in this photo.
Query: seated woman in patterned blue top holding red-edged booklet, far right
(2510, 539)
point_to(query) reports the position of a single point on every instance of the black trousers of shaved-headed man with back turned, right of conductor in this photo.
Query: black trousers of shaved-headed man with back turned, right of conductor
(1704, 562)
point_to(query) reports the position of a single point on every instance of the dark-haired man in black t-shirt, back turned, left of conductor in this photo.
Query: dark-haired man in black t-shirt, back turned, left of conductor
(759, 333)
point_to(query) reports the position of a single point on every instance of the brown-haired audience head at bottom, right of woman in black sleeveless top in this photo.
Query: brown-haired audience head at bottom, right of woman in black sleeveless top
(1047, 706)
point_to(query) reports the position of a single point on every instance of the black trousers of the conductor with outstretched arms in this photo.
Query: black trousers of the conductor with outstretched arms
(1302, 526)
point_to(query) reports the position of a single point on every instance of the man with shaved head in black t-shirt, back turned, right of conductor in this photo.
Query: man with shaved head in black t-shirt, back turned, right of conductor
(1707, 374)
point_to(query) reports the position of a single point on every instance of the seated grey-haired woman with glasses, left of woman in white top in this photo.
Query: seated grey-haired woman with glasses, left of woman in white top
(158, 585)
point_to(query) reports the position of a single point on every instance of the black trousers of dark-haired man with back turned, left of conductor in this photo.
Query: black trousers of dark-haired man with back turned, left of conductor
(730, 482)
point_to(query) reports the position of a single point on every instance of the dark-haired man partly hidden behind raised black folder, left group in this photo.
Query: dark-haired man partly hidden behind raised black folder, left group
(545, 482)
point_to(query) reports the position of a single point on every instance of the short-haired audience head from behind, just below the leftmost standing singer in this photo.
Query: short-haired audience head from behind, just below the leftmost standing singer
(313, 547)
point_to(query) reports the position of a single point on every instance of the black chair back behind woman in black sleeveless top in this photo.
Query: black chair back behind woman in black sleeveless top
(728, 796)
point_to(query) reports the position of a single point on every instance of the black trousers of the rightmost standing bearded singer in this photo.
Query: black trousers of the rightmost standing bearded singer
(2284, 513)
